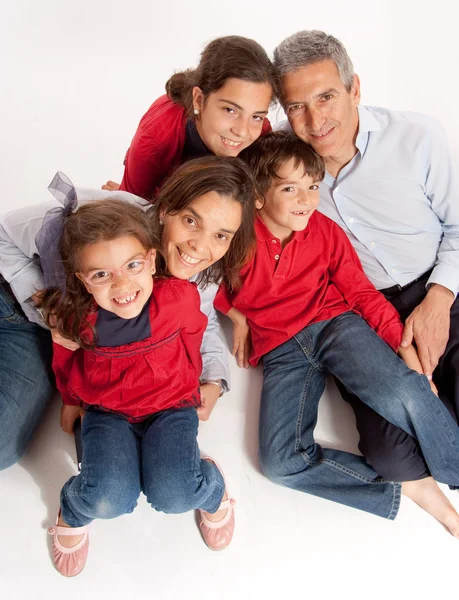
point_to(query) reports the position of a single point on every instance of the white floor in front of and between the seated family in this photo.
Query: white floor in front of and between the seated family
(286, 543)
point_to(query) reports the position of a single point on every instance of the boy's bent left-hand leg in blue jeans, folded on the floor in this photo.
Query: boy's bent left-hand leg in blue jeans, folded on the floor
(292, 385)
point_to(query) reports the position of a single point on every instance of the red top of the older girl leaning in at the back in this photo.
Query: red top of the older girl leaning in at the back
(157, 147)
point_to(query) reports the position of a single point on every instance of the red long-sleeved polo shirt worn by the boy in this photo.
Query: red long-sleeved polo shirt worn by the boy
(315, 277)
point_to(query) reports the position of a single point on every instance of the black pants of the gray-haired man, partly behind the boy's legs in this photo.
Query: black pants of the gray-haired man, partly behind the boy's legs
(391, 452)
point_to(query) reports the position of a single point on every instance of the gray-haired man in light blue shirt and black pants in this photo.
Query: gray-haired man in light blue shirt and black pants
(390, 185)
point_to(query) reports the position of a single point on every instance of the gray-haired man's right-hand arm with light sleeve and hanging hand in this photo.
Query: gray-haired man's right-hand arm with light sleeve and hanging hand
(429, 323)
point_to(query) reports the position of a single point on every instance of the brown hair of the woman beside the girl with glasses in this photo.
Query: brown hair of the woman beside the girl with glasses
(228, 177)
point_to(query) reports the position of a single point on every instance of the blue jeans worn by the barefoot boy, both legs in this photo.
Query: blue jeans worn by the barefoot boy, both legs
(294, 379)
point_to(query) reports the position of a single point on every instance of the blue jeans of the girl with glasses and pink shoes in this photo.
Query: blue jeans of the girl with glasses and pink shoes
(159, 456)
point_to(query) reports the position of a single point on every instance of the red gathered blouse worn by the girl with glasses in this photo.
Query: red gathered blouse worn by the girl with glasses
(144, 377)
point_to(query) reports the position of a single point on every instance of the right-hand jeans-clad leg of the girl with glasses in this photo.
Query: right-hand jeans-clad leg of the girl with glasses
(175, 479)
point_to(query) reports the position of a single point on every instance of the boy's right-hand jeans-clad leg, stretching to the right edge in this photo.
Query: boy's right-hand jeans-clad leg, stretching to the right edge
(381, 379)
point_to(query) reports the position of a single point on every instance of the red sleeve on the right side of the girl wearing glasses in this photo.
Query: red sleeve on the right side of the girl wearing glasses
(194, 322)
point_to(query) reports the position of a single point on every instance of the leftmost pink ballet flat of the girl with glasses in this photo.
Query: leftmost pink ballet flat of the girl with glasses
(69, 561)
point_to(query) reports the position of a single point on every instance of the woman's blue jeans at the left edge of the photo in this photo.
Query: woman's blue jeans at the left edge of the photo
(26, 379)
